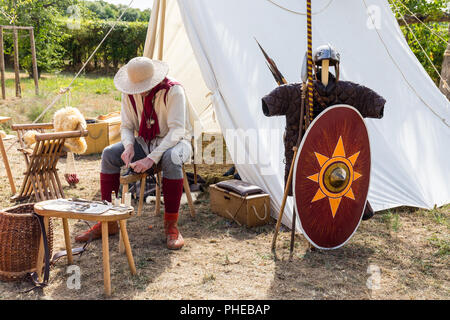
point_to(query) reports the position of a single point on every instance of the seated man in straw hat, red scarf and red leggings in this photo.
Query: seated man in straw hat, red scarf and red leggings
(157, 109)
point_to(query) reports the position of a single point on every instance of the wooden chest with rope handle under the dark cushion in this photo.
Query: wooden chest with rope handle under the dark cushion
(252, 210)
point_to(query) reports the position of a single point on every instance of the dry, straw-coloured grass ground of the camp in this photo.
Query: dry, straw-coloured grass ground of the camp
(403, 253)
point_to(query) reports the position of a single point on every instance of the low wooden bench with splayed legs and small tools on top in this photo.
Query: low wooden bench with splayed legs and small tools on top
(104, 218)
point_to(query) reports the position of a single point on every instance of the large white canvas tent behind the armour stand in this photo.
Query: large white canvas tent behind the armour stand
(210, 47)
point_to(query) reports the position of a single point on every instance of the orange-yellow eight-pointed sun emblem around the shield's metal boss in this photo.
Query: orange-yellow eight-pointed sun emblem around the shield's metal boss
(336, 177)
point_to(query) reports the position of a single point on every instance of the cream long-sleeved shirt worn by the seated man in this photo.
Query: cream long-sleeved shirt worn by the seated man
(174, 121)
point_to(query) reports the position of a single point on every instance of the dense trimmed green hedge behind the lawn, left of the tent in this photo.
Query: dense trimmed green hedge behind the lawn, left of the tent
(66, 48)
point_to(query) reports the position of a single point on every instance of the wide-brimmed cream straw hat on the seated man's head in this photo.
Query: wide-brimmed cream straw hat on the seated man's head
(140, 74)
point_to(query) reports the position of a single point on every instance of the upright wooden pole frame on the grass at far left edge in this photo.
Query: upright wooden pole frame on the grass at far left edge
(15, 30)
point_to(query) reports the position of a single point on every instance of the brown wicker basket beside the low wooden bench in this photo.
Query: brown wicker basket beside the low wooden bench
(20, 235)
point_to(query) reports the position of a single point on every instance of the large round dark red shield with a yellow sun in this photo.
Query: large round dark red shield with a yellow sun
(331, 177)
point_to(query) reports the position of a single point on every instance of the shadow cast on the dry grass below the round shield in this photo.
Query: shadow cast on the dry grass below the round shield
(337, 274)
